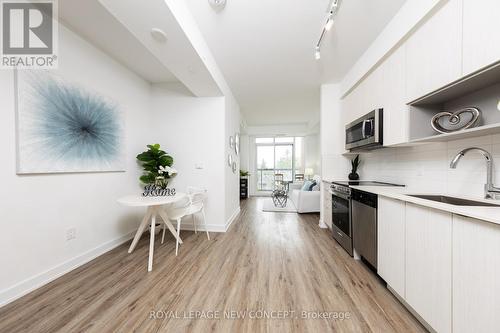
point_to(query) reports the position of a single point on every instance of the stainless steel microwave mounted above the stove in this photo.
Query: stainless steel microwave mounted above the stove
(365, 132)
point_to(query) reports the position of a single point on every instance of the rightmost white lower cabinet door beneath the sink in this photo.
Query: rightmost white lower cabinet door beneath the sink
(476, 276)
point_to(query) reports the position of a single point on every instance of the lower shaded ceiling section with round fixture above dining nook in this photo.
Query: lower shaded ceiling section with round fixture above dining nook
(107, 33)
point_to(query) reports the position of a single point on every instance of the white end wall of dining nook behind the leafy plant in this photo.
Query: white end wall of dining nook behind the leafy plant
(192, 130)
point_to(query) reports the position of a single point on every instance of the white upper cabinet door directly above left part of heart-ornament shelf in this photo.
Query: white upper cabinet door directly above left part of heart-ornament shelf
(434, 51)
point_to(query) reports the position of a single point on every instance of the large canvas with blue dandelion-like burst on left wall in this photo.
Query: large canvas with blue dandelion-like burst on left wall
(63, 127)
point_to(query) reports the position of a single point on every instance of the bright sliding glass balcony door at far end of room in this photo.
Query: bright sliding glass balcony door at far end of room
(274, 156)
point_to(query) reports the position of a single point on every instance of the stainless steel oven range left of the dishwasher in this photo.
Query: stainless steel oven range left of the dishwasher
(341, 216)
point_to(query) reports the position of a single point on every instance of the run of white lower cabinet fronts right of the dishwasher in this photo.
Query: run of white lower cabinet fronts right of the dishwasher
(445, 266)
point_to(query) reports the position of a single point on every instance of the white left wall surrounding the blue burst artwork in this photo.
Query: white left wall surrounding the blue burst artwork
(36, 210)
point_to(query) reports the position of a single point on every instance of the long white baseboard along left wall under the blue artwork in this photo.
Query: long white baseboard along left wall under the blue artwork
(24, 287)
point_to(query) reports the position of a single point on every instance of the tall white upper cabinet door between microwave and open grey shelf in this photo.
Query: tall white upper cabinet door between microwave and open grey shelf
(393, 100)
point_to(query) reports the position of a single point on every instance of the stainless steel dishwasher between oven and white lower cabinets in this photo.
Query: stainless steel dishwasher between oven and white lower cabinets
(364, 225)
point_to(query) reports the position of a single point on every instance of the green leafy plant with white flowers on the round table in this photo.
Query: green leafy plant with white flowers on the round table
(157, 165)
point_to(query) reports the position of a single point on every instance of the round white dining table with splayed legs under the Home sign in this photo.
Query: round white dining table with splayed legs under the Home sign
(155, 207)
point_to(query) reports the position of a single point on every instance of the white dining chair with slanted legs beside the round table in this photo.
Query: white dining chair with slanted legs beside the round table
(192, 205)
